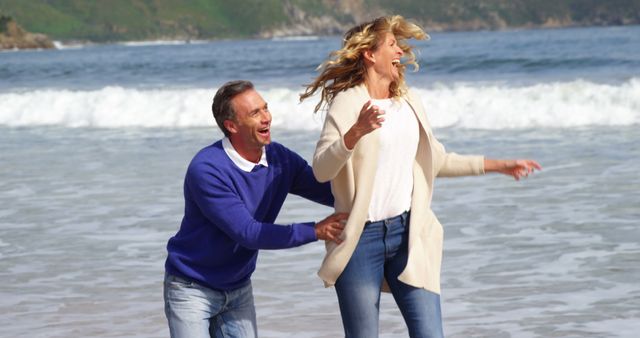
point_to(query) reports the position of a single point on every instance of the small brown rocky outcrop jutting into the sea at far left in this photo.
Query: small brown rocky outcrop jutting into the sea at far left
(12, 36)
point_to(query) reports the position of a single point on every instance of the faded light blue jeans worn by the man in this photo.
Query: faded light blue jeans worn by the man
(195, 311)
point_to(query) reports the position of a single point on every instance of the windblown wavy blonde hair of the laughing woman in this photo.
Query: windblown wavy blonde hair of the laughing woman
(346, 68)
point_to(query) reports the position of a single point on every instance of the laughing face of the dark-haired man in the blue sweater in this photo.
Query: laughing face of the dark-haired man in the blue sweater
(251, 129)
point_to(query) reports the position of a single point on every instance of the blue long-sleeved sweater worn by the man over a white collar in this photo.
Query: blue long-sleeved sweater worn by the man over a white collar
(229, 215)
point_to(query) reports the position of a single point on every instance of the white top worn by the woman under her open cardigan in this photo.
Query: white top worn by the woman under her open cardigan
(393, 184)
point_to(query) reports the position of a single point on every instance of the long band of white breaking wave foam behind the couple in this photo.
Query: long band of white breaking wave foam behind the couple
(468, 106)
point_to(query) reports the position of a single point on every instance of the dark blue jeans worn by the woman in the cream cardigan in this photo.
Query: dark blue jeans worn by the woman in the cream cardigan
(382, 253)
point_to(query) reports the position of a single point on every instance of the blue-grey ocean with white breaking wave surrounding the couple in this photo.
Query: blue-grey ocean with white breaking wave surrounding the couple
(95, 140)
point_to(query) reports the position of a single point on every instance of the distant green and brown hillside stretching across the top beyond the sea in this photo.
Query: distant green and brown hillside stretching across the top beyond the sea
(111, 20)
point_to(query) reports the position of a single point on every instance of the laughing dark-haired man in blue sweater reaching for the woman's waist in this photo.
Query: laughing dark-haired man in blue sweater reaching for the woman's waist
(233, 192)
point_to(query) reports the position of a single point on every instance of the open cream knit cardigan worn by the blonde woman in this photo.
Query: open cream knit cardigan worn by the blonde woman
(352, 173)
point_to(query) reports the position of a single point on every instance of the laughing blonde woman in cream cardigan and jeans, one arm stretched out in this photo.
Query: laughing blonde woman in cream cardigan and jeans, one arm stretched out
(381, 159)
